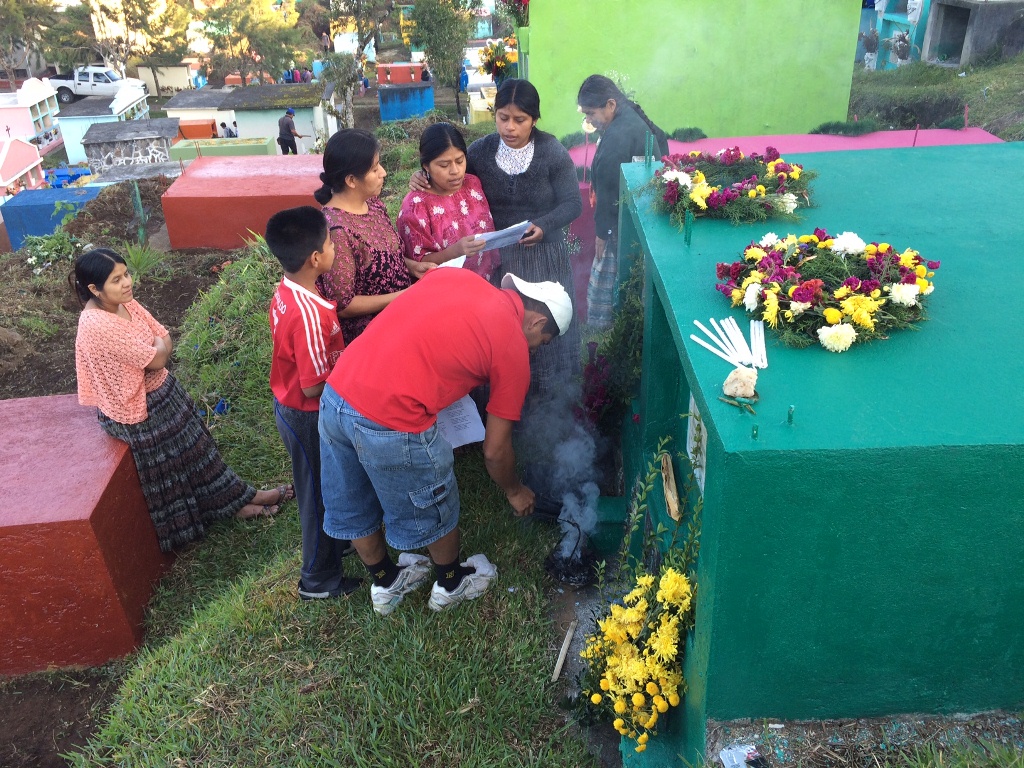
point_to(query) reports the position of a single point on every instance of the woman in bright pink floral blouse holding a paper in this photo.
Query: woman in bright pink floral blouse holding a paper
(442, 225)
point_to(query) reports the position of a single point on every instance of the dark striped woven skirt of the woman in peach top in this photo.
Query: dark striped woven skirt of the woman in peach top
(187, 485)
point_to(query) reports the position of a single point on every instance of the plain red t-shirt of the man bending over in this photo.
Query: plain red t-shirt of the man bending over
(449, 333)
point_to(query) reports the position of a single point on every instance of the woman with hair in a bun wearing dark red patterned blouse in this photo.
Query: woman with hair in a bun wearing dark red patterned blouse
(370, 267)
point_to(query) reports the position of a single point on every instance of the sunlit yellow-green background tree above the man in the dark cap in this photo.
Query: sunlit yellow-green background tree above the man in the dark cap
(250, 37)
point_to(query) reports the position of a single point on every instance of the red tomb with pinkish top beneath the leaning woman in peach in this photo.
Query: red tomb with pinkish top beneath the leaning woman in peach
(80, 552)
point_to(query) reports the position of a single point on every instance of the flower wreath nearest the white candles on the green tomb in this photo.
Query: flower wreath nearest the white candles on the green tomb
(837, 290)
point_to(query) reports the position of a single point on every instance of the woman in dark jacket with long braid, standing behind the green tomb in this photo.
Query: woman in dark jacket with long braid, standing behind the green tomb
(625, 129)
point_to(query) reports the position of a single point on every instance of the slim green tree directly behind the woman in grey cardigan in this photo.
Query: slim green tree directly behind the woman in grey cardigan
(444, 28)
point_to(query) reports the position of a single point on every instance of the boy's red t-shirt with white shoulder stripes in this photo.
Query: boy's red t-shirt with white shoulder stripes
(308, 343)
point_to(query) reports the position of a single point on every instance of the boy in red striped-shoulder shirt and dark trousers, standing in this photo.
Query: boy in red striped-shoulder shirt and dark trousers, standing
(308, 343)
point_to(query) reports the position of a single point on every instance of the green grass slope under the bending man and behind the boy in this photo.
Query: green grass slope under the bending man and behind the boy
(237, 671)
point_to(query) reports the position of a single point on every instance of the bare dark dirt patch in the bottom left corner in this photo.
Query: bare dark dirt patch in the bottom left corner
(46, 716)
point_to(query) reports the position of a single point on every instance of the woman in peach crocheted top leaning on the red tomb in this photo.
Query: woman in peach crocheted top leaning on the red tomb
(121, 357)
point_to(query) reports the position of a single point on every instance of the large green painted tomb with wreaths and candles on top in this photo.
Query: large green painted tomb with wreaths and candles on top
(865, 561)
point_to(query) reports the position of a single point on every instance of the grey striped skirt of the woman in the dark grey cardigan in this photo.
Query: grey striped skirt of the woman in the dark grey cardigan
(557, 364)
